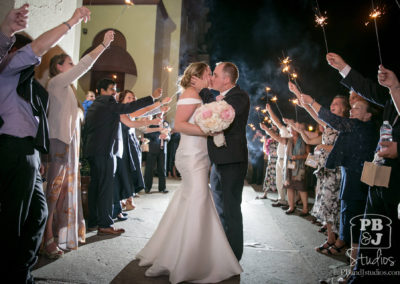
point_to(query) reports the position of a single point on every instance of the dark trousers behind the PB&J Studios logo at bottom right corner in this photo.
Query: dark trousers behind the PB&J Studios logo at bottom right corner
(379, 265)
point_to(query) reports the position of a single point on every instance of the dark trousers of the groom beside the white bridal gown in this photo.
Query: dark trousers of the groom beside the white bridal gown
(227, 186)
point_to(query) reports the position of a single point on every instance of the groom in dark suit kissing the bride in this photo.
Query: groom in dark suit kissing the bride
(229, 163)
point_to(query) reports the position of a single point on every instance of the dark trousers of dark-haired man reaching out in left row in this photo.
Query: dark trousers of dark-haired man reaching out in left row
(101, 191)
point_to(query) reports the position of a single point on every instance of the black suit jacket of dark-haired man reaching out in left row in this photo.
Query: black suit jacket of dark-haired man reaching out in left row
(101, 123)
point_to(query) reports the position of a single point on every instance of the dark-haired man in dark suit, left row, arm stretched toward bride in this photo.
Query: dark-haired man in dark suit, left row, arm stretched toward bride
(102, 143)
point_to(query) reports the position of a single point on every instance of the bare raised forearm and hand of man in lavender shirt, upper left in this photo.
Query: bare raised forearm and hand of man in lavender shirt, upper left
(50, 38)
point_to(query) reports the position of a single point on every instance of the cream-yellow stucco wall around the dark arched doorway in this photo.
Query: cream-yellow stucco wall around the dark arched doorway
(138, 25)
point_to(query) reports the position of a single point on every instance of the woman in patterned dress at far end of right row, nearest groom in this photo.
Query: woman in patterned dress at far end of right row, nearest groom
(270, 149)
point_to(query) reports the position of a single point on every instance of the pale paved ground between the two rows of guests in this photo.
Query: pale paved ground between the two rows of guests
(278, 248)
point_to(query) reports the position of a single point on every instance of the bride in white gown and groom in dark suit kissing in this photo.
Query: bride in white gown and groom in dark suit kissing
(200, 236)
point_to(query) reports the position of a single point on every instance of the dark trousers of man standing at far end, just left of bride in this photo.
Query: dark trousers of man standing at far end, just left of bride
(151, 160)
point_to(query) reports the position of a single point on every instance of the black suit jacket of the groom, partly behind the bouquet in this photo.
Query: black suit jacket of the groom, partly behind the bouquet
(235, 135)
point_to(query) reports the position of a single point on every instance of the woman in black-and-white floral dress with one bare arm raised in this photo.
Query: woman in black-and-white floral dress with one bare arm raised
(327, 203)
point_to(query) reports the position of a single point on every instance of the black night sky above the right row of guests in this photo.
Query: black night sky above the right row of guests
(255, 34)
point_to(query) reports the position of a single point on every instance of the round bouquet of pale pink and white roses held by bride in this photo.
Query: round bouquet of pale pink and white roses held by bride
(213, 118)
